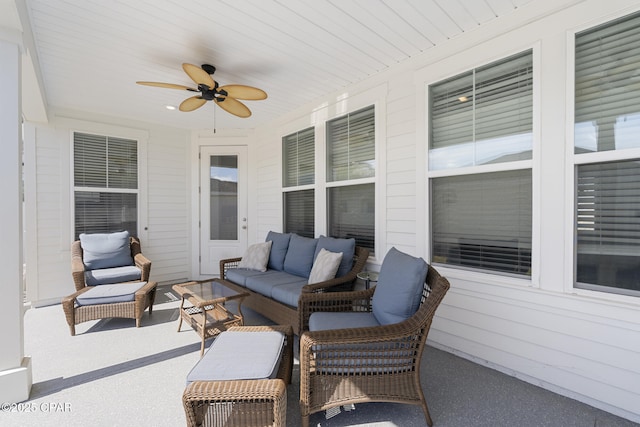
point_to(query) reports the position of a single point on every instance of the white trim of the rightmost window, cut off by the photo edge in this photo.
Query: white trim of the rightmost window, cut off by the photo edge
(573, 160)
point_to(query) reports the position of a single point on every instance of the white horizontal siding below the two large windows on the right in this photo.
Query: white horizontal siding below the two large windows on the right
(549, 346)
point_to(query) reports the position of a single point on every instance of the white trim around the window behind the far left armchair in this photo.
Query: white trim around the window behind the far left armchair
(142, 137)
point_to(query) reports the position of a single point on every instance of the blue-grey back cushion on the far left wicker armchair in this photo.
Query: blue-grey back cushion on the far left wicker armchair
(105, 250)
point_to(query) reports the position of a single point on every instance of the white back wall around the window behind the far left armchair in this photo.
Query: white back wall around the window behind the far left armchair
(164, 210)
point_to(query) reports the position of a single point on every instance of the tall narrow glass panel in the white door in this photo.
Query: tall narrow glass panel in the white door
(224, 197)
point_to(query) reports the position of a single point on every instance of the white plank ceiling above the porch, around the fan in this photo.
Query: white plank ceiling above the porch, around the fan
(91, 52)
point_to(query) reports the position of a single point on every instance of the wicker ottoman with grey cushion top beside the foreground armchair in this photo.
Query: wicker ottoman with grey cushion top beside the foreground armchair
(244, 401)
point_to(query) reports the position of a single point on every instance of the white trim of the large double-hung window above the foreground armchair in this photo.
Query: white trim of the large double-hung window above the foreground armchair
(463, 64)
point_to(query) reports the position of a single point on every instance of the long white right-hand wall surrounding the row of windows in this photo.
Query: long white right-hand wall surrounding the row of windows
(582, 344)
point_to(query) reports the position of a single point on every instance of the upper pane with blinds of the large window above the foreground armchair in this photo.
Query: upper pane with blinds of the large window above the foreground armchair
(483, 116)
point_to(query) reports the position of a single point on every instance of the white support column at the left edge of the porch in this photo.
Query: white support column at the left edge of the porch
(15, 368)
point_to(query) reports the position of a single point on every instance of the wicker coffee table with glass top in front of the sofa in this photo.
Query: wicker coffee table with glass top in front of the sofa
(206, 311)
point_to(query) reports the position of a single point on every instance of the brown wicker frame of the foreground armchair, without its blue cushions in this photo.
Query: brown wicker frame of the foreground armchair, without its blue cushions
(364, 364)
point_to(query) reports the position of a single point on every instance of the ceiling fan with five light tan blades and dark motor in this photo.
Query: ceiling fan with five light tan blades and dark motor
(225, 96)
